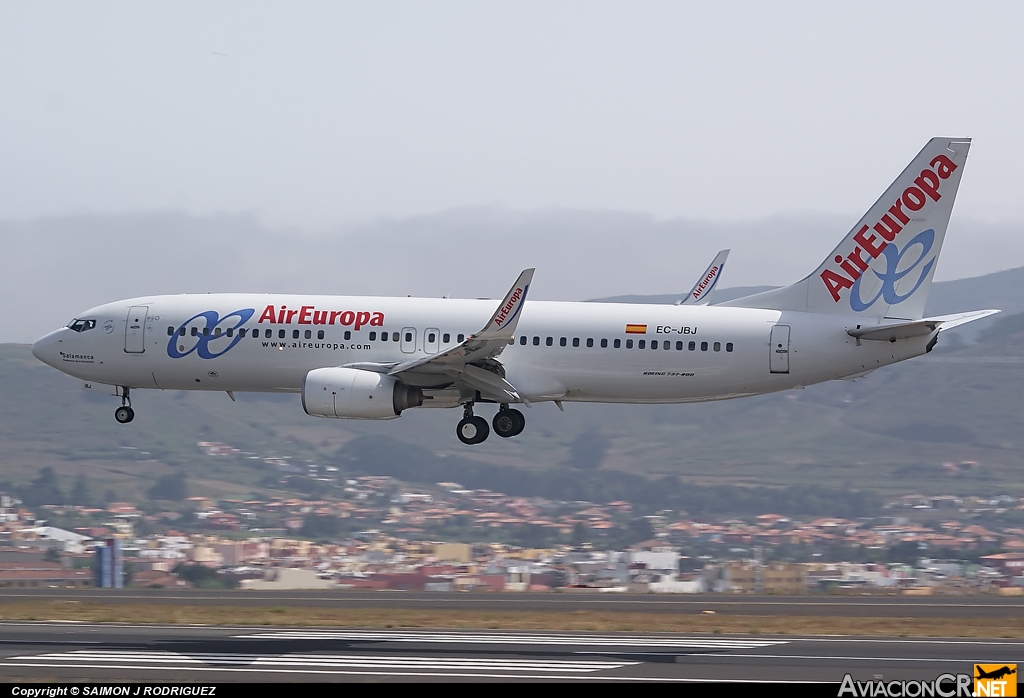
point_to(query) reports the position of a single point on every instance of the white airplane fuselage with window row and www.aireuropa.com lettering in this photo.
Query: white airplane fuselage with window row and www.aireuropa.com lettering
(595, 353)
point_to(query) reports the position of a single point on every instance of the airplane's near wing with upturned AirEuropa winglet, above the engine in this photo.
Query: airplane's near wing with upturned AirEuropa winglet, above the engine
(472, 363)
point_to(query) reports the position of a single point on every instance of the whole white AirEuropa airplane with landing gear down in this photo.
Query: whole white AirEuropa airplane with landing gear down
(366, 358)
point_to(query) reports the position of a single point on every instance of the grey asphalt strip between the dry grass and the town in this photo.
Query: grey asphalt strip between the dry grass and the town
(863, 606)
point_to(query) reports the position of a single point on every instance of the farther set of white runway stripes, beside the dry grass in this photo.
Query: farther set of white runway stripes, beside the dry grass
(501, 639)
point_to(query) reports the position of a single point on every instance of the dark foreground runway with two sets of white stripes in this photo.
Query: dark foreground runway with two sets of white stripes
(60, 651)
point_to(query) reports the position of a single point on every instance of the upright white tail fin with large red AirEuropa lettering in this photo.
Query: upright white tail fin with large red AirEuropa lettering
(884, 267)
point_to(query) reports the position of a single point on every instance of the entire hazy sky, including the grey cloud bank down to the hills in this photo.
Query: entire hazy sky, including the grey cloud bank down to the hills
(433, 149)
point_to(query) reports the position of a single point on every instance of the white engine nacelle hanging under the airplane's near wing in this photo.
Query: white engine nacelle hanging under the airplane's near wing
(356, 395)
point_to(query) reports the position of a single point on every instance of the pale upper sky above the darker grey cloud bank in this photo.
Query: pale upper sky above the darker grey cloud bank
(322, 114)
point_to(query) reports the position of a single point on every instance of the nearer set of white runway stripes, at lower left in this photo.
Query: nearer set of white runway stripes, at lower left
(321, 663)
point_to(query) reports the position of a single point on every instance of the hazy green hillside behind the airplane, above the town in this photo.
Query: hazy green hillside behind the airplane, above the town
(892, 431)
